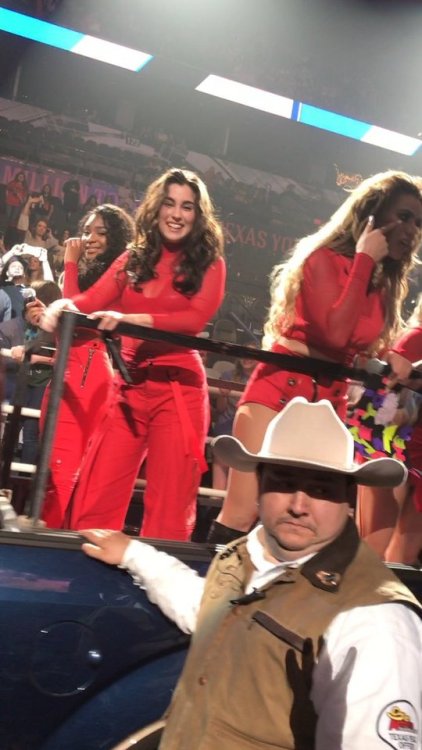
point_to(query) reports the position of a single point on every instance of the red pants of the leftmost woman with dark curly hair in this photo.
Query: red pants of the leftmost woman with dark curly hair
(87, 389)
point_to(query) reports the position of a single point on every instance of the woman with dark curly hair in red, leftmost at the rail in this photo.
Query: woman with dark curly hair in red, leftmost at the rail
(105, 233)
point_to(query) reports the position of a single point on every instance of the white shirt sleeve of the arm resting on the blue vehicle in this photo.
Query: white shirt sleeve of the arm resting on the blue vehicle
(169, 583)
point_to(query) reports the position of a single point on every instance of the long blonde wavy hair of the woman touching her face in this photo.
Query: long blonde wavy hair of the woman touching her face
(341, 233)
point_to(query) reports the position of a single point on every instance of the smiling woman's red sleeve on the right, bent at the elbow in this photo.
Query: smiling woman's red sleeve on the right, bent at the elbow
(200, 308)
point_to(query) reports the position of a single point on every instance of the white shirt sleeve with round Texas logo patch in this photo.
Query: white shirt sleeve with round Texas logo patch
(367, 684)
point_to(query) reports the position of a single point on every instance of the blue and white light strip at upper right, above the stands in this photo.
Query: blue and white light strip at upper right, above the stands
(313, 116)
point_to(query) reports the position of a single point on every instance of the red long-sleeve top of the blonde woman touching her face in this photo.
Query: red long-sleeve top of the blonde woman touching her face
(335, 313)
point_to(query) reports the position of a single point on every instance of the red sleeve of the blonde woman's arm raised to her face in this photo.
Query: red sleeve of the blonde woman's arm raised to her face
(332, 295)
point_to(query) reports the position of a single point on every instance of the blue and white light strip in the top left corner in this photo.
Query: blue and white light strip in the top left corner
(72, 41)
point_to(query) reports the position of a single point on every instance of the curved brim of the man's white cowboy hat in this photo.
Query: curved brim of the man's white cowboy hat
(378, 472)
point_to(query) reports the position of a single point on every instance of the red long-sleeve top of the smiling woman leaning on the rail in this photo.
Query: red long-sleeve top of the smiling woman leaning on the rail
(170, 310)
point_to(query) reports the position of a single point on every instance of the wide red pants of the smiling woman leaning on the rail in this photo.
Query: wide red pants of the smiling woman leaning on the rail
(167, 418)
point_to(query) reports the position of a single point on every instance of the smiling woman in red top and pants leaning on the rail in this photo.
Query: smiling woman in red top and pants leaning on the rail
(173, 279)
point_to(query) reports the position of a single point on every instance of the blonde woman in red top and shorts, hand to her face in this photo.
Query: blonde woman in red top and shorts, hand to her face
(340, 294)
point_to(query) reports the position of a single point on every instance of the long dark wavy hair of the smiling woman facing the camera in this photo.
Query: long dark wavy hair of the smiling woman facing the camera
(200, 249)
